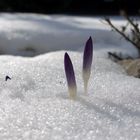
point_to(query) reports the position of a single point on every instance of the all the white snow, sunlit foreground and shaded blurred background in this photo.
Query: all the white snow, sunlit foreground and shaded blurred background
(35, 105)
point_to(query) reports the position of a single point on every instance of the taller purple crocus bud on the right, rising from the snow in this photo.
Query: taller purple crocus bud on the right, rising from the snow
(87, 62)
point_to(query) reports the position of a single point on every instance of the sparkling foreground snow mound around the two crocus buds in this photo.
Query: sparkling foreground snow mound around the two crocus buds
(34, 104)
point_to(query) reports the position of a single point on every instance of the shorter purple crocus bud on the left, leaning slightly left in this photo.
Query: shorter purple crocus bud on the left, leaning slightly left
(72, 88)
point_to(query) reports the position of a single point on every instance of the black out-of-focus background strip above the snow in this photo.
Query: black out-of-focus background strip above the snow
(76, 7)
